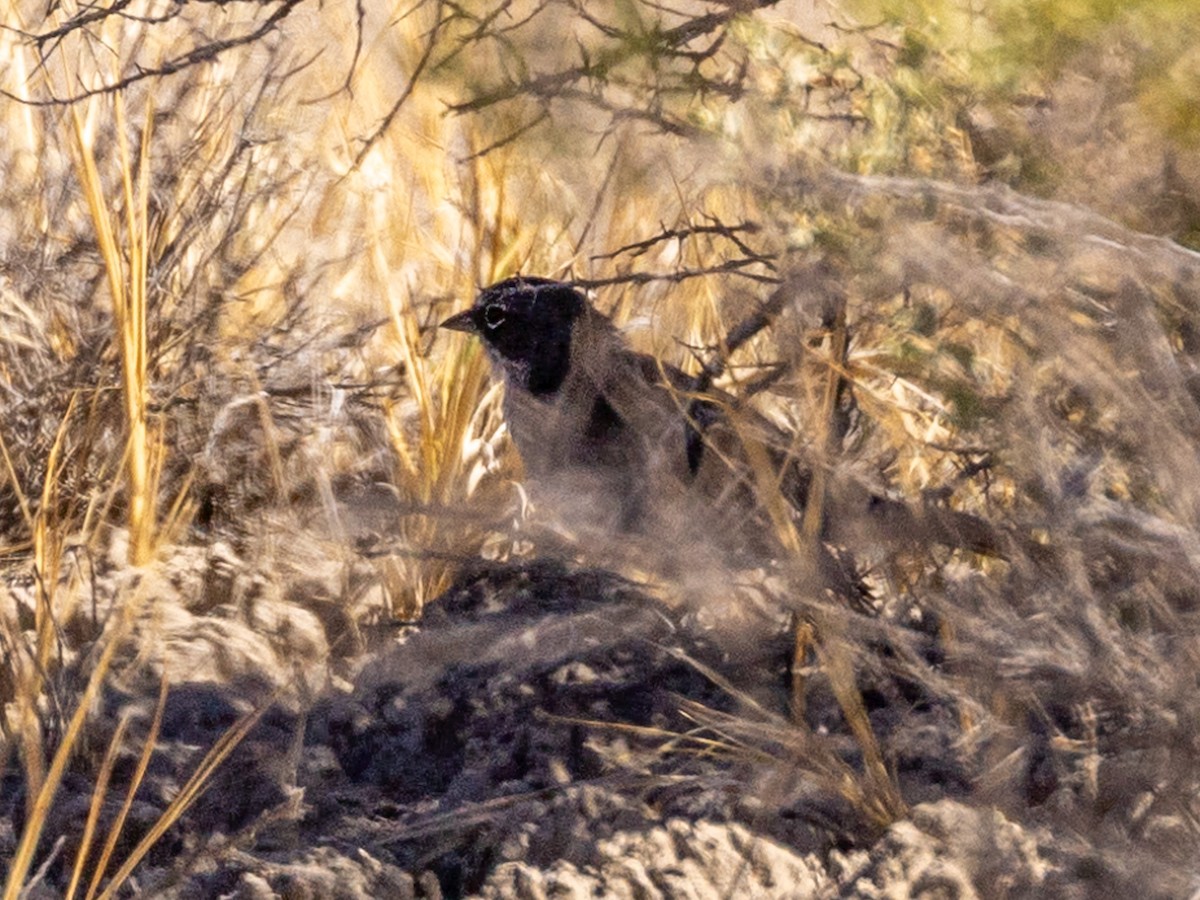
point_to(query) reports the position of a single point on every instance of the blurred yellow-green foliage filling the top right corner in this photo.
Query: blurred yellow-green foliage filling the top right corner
(1089, 100)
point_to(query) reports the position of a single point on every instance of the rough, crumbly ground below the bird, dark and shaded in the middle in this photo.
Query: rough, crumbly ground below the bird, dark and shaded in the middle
(544, 731)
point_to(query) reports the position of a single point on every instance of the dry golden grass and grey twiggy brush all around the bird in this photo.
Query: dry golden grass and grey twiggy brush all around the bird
(233, 446)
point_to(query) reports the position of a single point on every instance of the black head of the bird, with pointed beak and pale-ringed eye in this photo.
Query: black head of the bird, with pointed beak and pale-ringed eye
(526, 326)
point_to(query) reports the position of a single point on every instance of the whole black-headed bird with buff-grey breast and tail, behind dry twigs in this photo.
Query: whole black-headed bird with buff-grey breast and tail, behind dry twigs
(621, 443)
